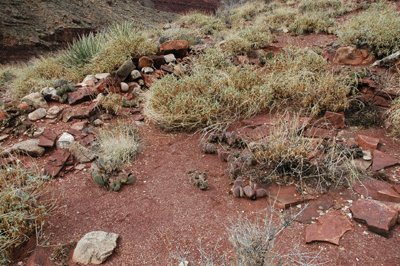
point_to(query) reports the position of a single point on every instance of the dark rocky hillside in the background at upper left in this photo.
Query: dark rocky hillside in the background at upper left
(28, 28)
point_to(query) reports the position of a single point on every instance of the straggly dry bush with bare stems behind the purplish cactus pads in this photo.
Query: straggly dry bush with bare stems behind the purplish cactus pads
(293, 158)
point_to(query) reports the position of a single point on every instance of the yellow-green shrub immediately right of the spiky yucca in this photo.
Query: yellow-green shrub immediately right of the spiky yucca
(121, 42)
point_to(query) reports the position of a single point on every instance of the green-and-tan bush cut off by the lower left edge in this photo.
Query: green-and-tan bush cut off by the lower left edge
(20, 212)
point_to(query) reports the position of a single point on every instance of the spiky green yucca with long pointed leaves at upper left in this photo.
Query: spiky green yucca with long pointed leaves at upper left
(82, 50)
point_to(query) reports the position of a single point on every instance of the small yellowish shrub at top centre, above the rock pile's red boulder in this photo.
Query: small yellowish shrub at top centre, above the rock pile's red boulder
(208, 24)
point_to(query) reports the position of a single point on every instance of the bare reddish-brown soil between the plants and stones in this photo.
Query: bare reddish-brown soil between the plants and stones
(162, 214)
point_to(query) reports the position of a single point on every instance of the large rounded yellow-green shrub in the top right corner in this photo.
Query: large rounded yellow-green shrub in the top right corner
(377, 30)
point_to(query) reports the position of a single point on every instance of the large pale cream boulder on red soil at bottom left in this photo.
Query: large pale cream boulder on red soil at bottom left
(95, 247)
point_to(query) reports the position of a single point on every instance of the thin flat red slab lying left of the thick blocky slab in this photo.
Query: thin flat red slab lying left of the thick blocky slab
(329, 228)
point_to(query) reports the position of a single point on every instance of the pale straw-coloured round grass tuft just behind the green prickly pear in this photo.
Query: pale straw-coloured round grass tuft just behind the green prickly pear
(119, 144)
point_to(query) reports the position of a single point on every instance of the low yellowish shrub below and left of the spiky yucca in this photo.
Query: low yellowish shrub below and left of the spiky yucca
(38, 73)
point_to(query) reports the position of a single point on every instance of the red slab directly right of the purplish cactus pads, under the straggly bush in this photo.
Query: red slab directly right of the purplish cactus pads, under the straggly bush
(285, 197)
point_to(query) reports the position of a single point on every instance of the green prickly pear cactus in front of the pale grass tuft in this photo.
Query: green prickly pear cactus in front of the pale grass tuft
(111, 176)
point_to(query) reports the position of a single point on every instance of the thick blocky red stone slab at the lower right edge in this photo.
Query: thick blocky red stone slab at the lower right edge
(380, 217)
